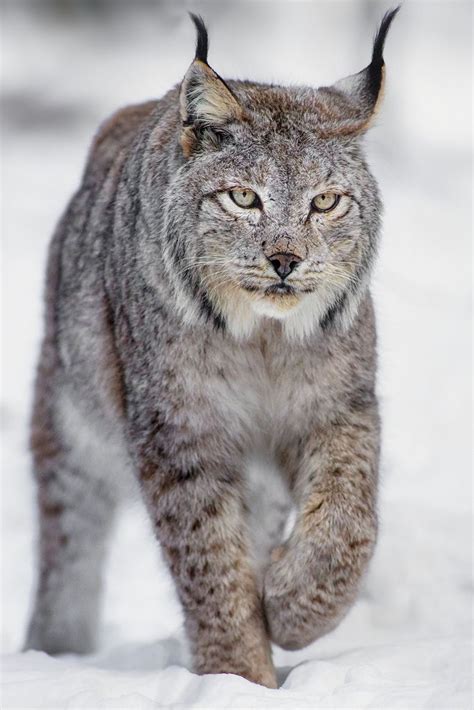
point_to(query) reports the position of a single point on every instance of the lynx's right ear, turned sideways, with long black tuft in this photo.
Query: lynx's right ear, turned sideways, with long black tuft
(357, 98)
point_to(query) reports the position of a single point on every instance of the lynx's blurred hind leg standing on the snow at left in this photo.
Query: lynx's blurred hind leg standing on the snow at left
(76, 509)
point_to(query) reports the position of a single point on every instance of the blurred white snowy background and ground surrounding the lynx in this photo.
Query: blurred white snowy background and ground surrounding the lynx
(407, 642)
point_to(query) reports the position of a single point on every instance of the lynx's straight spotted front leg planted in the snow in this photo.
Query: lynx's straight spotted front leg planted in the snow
(199, 522)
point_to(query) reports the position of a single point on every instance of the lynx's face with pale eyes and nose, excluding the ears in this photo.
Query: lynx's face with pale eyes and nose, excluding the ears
(283, 249)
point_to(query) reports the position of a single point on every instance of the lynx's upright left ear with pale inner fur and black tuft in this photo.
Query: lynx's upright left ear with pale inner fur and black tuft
(205, 99)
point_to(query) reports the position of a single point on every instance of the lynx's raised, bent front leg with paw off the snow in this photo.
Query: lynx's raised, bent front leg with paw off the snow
(314, 578)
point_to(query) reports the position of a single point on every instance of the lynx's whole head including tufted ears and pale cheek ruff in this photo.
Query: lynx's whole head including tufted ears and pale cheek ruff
(278, 214)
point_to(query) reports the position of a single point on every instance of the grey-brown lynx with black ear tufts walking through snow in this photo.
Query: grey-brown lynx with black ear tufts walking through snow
(207, 308)
